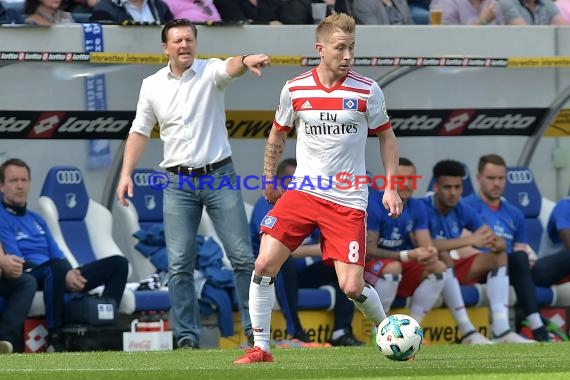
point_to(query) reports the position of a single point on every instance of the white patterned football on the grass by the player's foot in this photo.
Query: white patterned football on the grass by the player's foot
(399, 337)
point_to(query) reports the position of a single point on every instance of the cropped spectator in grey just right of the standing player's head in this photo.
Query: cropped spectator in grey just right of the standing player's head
(382, 12)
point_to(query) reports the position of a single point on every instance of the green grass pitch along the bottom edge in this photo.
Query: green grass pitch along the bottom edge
(441, 362)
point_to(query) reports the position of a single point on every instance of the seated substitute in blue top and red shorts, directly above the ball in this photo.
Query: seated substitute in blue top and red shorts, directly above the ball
(403, 243)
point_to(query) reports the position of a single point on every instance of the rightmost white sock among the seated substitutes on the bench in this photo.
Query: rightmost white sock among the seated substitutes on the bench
(498, 293)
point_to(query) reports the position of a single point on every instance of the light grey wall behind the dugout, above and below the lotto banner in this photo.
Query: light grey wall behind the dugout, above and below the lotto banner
(60, 86)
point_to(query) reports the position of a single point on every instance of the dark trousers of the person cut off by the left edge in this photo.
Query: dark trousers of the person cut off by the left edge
(18, 295)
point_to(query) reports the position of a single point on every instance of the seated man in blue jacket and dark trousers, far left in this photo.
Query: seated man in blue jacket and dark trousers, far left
(25, 234)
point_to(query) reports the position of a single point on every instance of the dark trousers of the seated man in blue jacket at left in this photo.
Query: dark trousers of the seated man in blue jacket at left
(110, 271)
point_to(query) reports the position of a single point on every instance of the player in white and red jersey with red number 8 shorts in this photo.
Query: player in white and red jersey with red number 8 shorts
(333, 110)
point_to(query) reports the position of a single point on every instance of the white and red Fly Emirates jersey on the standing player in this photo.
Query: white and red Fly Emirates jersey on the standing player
(332, 126)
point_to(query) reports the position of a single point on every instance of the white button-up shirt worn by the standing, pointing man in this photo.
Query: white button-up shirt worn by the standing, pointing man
(190, 113)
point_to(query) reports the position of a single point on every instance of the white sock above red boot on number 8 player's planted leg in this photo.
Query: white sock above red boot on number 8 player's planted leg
(261, 299)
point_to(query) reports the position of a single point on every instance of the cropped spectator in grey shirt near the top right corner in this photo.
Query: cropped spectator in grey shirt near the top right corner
(531, 12)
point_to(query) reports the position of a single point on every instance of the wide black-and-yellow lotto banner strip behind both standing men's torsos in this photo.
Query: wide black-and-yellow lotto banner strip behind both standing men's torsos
(257, 124)
